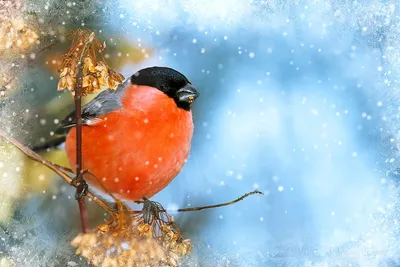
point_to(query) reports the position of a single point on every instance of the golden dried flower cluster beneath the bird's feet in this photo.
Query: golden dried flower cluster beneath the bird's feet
(127, 240)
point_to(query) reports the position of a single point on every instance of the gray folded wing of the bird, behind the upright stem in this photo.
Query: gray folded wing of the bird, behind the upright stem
(105, 102)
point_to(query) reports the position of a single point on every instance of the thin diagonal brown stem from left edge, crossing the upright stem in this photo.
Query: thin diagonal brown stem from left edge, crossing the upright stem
(54, 167)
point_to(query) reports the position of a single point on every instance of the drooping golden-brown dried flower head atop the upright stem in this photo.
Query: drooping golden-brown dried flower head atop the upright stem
(94, 74)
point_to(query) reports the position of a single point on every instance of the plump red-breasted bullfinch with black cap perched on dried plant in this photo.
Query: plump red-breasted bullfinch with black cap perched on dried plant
(135, 139)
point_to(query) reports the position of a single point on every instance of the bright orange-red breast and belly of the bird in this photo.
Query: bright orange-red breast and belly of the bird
(138, 150)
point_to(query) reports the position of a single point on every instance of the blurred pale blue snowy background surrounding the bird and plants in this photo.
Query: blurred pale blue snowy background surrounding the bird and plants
(299, 99)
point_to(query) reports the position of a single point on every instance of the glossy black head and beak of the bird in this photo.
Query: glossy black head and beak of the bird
(169, 81)
